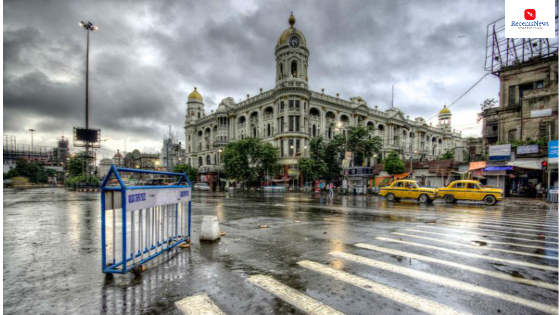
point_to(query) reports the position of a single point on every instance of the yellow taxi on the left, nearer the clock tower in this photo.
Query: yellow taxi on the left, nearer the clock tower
(408, 189)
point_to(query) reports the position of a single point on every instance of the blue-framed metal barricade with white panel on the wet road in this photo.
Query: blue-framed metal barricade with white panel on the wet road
(138, 223)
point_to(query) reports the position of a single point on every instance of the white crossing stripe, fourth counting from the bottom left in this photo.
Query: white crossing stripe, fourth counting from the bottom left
(448, 282)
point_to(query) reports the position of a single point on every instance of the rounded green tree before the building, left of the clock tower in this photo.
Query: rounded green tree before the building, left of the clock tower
(250, 159)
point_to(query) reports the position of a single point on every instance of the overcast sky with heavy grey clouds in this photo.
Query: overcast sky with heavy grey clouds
(148, 55)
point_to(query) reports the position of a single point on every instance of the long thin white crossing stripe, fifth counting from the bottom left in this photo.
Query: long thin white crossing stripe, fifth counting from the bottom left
(499, 275)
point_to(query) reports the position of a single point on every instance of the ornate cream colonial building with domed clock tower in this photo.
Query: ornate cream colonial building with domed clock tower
(290, 114)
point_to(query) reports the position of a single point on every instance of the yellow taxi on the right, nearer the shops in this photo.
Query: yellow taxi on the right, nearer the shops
(470, 190)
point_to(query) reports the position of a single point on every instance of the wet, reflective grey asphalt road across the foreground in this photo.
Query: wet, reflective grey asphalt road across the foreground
(52, 256)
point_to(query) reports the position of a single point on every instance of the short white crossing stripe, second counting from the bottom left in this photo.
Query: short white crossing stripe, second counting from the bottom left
(293, 297)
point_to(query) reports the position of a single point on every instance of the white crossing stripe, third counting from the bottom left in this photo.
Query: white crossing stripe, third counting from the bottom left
(411, 300)
